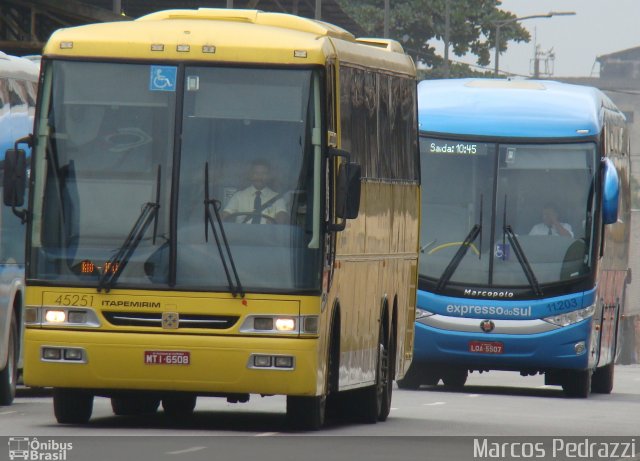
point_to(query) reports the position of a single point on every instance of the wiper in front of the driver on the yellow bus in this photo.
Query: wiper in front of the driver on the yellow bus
(236, 289)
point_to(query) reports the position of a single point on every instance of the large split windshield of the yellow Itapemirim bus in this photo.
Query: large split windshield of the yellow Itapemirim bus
(124, 193)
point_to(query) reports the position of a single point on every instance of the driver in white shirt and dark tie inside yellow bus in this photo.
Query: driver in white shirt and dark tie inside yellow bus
(258, 203)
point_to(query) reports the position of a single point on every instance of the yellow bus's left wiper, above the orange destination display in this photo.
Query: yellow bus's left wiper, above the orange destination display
(114, 267)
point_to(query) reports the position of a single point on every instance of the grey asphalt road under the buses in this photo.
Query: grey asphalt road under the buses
(431, 423)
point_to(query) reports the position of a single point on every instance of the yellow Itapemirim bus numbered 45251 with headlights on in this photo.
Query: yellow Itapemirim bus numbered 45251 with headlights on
(155, 272)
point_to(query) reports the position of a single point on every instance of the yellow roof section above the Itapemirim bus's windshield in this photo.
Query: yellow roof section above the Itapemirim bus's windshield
(244, 36)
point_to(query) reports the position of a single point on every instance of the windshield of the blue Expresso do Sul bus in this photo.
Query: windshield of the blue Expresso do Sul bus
(506, 215)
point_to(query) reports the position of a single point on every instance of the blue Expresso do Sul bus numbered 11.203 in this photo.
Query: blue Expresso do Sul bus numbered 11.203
(525, 232)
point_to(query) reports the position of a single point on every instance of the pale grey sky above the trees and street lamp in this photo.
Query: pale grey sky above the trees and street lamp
(599, 27)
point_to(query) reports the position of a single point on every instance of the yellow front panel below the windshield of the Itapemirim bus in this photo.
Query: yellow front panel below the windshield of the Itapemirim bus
(219, 359)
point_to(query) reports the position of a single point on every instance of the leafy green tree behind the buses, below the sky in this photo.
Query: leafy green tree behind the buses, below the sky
(414, 22)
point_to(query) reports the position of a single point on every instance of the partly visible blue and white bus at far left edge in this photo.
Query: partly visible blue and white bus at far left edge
(18, 86)
